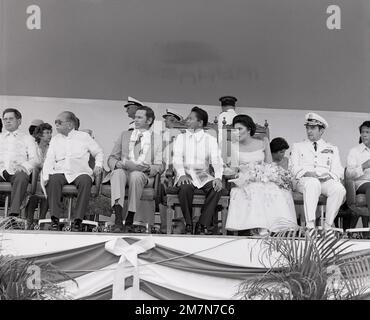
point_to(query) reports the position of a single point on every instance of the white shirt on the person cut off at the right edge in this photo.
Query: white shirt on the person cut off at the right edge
(356, 157)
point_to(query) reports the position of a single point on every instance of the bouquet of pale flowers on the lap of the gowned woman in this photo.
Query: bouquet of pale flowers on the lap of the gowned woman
(263, 172)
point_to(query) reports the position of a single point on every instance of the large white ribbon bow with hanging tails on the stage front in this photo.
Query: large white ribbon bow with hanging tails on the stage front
(128, 261)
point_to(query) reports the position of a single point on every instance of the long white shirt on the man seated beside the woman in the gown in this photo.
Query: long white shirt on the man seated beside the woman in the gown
(192, 155)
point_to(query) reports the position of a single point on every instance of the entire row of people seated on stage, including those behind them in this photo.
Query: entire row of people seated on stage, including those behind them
(263, 178)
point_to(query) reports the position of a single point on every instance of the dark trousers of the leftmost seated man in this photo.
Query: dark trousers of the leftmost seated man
(19, 183)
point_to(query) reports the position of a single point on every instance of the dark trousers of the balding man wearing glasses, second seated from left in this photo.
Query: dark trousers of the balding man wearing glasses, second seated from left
(55, 198)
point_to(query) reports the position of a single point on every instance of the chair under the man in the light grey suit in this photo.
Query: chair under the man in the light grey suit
(151, 193)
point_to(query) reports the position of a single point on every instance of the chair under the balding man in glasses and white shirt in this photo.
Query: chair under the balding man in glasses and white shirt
(69, 191)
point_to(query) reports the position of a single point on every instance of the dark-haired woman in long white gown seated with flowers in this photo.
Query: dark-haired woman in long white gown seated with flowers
(257, 202)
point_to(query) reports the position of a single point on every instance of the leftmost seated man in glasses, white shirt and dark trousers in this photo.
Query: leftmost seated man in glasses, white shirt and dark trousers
(18, 156)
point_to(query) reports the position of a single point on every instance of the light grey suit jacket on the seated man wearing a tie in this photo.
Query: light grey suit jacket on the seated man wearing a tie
(121, 150)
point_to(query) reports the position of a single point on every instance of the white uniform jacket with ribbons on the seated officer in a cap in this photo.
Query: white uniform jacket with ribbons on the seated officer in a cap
(326, 159)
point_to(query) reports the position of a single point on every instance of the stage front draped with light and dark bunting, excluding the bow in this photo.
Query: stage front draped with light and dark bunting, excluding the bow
(174, 267)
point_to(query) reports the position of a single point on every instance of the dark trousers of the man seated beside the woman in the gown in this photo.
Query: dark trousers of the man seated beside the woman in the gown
(186, 195)
